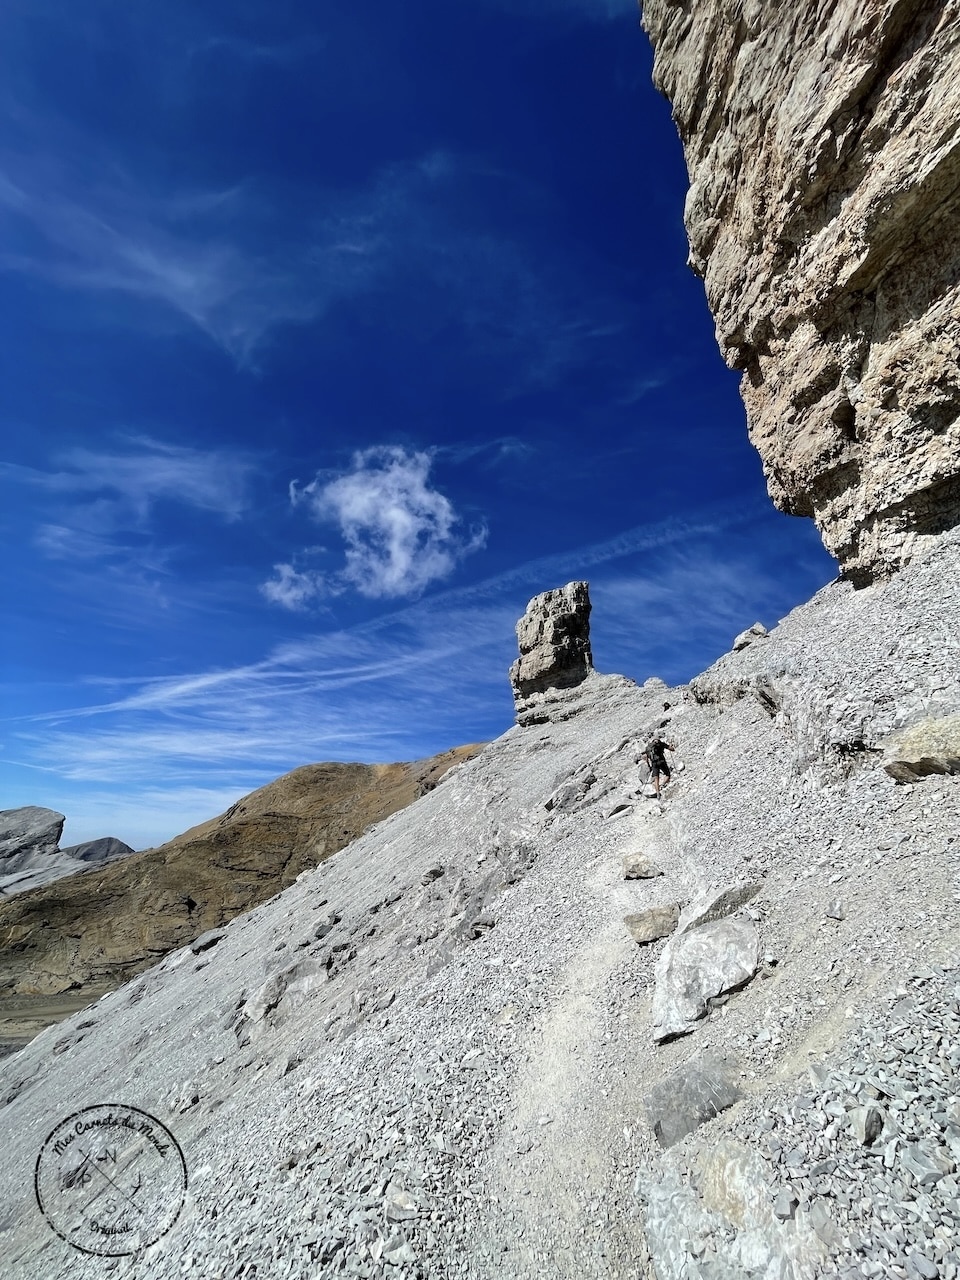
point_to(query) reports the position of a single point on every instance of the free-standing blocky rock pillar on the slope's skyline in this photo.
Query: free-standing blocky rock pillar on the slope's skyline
(555, 648)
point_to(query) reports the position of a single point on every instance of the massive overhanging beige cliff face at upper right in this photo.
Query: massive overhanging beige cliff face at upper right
(824, 214)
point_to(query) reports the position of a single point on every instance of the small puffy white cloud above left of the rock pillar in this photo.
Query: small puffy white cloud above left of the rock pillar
(400, 533)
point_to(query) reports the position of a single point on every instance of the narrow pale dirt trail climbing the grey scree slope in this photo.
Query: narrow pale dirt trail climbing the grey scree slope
(568, 1139)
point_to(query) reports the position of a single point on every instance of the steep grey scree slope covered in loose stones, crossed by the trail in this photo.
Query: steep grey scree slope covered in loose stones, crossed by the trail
(436, 1055)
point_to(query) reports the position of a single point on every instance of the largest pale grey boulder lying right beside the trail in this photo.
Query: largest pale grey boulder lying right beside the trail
(698, 964)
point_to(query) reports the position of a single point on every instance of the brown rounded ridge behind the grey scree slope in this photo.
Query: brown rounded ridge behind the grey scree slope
(68, 943)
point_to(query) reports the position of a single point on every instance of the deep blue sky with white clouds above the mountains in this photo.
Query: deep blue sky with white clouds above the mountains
(332, 335)
